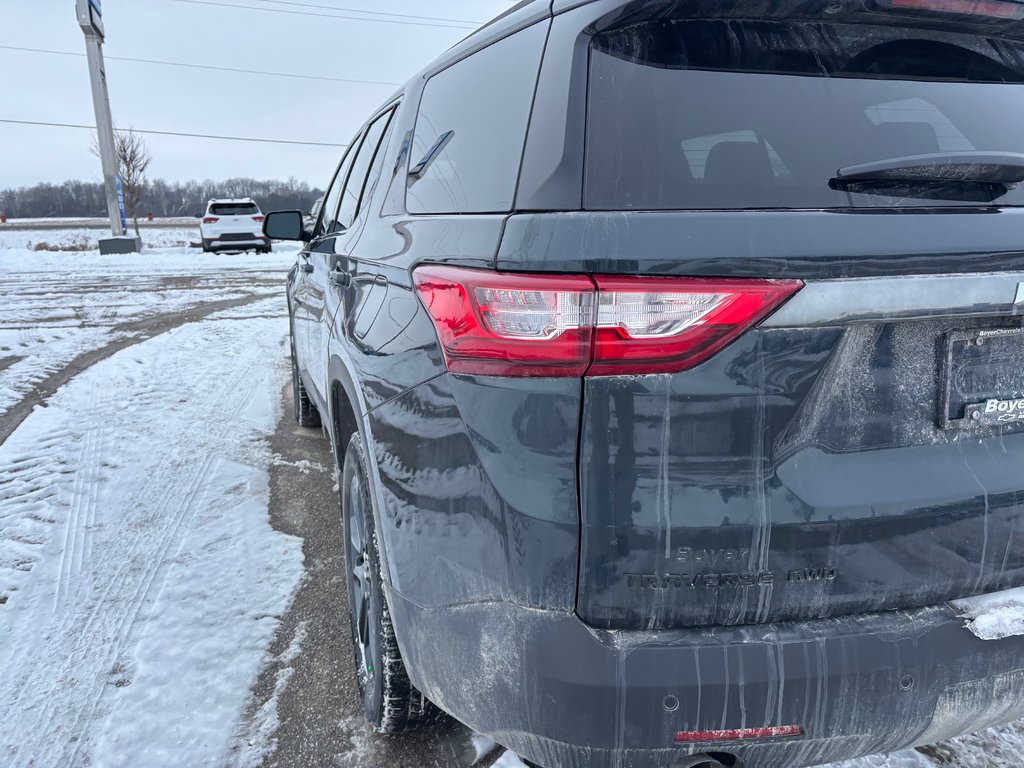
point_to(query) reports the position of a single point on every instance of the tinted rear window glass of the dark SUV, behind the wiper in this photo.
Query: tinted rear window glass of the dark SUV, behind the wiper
(737, 114)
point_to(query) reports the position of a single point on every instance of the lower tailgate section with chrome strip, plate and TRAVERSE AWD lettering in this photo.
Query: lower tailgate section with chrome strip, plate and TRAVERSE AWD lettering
(818, 467)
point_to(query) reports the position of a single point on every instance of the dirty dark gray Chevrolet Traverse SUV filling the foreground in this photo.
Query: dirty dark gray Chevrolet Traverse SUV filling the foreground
(673, 354)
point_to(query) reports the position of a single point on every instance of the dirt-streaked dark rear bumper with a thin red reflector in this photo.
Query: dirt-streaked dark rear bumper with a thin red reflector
(564, 695)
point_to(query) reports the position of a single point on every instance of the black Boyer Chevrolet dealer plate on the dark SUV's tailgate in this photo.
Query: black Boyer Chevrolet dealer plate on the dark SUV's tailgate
(984, 379)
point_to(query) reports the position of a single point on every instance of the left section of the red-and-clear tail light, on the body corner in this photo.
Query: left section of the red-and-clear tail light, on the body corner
(509, 325)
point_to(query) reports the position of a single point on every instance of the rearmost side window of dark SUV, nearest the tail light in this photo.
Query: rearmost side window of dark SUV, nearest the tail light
(473, 127)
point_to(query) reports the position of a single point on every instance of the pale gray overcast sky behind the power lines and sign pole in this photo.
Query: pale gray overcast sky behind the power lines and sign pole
(55, 89)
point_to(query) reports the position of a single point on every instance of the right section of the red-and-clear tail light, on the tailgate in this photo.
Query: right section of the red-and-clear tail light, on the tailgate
(663, 325)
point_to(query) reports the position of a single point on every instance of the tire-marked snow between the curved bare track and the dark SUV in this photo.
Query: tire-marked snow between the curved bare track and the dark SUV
(141, 576)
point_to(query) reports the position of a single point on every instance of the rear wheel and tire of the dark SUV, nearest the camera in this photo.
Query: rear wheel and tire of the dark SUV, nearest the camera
(392, 704)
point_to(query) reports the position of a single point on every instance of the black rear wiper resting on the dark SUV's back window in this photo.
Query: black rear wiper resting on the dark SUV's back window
(971, 177)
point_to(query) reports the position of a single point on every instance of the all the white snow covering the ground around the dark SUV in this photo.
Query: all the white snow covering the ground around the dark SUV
(142, 582)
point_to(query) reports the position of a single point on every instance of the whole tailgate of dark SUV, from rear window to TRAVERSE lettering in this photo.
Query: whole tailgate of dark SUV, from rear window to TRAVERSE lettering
(862, 450)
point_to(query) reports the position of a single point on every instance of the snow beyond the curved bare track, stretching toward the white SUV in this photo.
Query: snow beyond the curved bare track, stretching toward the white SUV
(55, 307)
